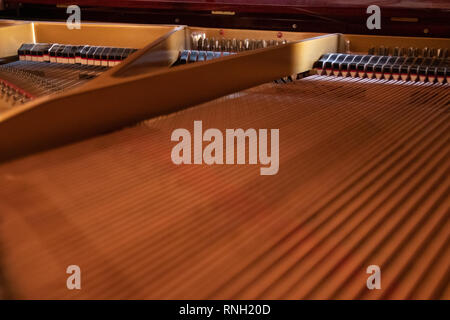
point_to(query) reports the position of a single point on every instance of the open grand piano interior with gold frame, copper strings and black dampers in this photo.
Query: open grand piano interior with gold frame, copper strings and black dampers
(86, 117)
